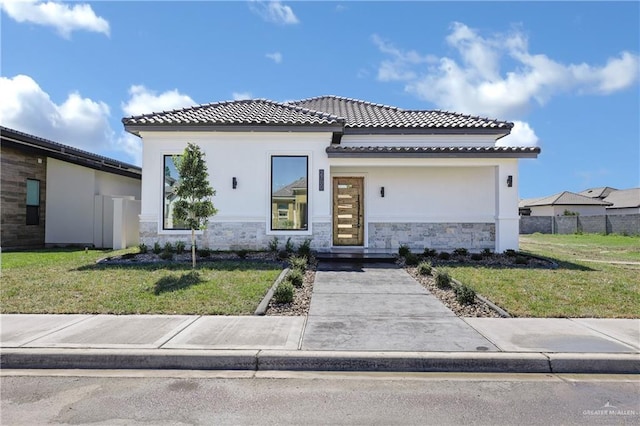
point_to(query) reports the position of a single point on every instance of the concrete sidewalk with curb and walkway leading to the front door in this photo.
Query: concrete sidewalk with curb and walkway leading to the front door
(369, 319)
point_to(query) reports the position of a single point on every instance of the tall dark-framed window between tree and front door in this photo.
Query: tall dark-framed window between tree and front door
(289, 193)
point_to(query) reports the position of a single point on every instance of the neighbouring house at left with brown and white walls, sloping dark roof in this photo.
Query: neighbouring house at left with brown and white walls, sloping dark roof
(54, 194)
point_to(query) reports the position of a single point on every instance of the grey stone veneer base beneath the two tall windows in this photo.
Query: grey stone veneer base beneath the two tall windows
(236, 235)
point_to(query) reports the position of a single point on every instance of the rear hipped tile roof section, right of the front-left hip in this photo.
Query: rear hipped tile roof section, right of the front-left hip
(362, 114)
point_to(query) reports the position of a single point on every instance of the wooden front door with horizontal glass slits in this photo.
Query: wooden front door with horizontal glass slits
(348, 211)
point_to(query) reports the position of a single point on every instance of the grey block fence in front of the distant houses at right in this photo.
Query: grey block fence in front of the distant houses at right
(625, 224)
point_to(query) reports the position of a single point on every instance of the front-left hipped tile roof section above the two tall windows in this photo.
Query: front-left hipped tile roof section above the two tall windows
(243, 112)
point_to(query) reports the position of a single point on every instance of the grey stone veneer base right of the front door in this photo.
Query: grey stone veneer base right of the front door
(439, 236)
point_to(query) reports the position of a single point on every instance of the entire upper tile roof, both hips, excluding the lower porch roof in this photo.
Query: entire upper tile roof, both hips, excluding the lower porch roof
(318, 111)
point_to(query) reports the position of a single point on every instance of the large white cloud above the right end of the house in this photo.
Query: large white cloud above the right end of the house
(474, 83)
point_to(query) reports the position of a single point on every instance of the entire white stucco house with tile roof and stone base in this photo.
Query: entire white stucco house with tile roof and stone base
(345, 173)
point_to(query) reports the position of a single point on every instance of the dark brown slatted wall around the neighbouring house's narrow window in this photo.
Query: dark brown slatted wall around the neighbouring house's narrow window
(18, 166)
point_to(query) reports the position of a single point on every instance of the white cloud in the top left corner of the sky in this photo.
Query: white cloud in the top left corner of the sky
(64, 18)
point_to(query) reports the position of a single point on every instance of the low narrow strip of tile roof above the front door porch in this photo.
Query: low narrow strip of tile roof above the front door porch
(427, 151)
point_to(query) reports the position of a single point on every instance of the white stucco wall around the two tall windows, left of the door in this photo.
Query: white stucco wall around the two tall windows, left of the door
(243, 155)
